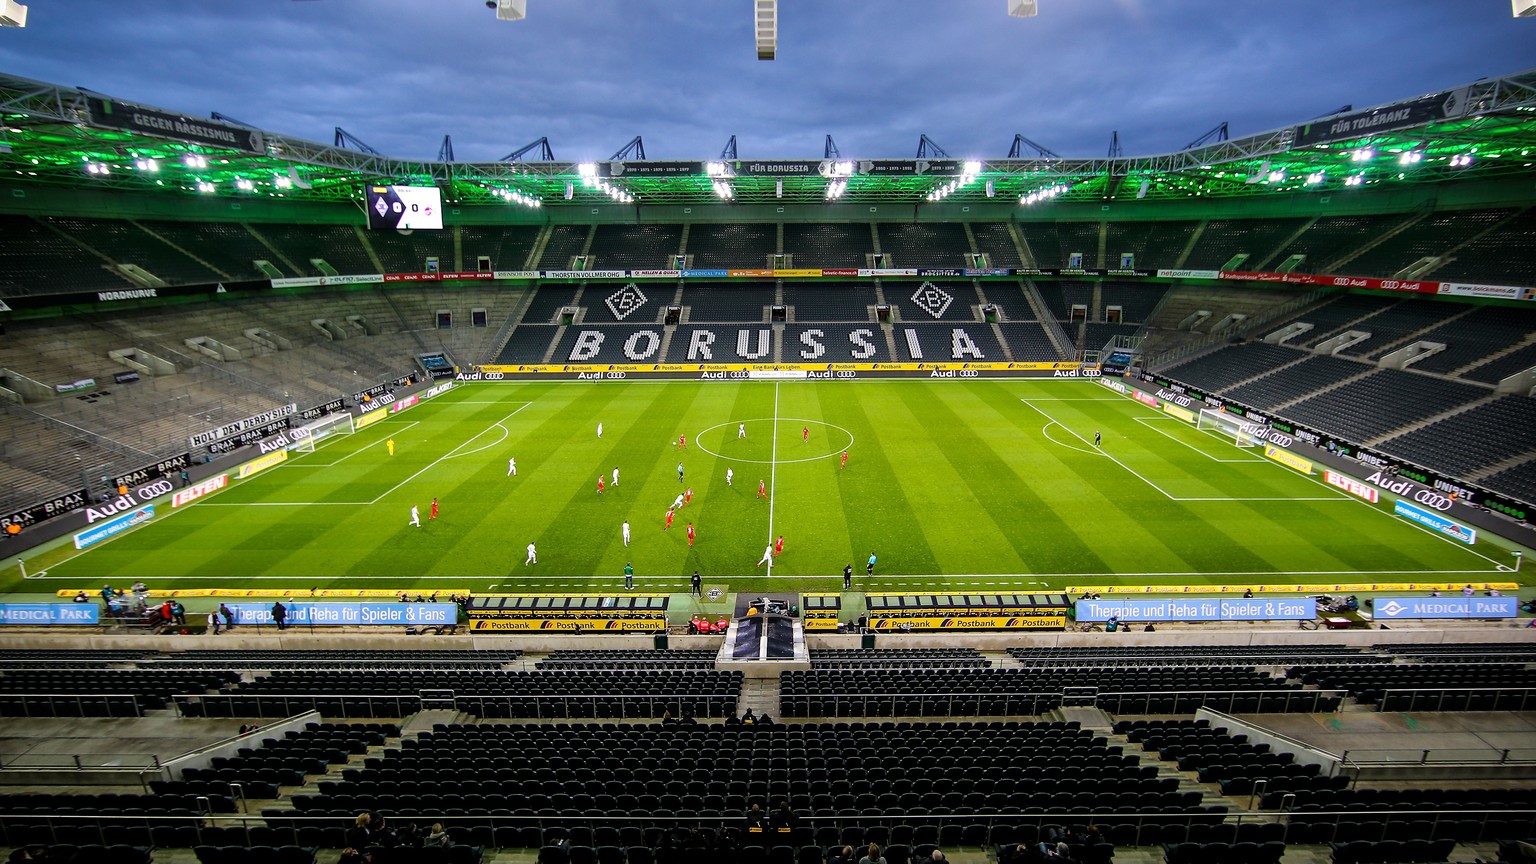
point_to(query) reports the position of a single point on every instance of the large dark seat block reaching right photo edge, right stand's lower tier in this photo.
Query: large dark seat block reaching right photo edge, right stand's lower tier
(1501, 430)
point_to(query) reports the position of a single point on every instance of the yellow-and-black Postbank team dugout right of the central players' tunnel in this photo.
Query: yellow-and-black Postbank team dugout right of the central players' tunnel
(967, 611)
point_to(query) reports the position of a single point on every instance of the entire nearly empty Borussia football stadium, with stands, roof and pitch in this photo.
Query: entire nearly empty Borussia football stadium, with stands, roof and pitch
(789, 511)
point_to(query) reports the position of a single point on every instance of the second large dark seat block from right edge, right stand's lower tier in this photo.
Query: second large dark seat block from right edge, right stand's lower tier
(1383, 402)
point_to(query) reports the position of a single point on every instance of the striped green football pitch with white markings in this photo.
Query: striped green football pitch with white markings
(953, 485)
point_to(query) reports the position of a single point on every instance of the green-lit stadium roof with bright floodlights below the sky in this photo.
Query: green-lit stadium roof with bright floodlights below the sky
(67, 136)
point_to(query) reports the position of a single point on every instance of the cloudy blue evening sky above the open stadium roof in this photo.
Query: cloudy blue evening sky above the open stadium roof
(875, 75)
